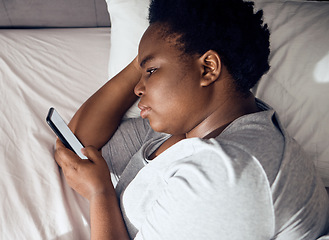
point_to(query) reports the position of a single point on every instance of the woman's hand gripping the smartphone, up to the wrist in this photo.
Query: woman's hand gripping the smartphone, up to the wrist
(89, 177)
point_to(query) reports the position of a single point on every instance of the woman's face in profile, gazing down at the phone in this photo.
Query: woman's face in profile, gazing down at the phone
(172, 98)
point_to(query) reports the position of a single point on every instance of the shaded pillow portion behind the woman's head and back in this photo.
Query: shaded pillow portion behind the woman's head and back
(297, 85)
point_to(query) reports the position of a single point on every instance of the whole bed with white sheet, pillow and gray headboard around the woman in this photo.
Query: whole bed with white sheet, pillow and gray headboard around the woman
(63, 55)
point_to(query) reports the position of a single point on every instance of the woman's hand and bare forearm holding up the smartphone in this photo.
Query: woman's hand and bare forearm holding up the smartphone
(91, 179)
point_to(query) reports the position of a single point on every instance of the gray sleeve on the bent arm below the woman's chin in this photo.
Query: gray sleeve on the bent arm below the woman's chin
(126, 141)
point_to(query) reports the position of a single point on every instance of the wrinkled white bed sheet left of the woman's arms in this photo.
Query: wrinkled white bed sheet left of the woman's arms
(38, 69)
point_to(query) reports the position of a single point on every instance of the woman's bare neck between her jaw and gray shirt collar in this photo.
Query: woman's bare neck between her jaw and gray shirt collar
(218, 119)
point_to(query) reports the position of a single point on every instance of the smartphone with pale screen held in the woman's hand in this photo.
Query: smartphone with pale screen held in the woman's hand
(64, 133)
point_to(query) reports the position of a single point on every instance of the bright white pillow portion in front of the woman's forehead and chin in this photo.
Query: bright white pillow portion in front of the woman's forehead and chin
(128, 23)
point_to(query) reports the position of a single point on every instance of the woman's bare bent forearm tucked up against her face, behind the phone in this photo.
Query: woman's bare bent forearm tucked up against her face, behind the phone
(98, 118)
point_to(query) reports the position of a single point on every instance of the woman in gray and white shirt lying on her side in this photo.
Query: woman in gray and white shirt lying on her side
(206, 160)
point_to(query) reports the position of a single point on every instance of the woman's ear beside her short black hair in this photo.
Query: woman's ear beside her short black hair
(211, 67)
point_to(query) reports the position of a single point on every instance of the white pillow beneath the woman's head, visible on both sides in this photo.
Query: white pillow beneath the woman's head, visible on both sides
(297, 85)
